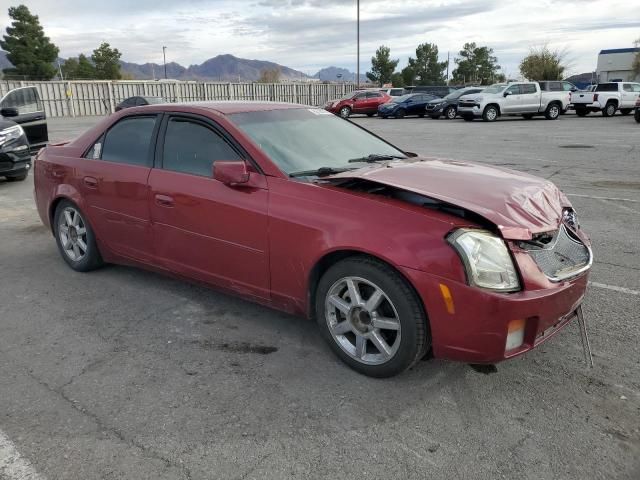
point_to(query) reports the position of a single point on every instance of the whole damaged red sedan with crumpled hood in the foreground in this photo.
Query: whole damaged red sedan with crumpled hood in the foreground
(393, 254)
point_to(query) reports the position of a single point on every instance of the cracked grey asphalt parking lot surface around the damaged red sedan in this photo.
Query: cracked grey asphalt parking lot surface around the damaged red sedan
(122, 373)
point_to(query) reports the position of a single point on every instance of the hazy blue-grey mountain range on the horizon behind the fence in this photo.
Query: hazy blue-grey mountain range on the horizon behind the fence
(222, 68)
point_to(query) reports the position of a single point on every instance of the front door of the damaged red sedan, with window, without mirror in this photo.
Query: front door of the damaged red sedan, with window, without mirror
(203, 228)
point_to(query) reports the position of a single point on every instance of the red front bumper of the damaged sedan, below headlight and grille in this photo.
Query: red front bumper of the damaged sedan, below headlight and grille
(475, 329)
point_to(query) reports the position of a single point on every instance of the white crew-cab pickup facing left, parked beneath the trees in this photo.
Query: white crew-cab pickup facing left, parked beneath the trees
(515, 98)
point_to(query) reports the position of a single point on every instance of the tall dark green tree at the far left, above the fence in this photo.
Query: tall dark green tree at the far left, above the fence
(28, 48)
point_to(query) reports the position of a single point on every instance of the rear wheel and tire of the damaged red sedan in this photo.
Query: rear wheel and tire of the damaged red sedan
(78, 233)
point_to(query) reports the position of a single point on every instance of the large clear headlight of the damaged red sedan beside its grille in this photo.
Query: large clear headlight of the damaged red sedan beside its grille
(486, 259)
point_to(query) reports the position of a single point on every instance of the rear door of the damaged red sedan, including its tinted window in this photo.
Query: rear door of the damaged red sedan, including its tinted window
(114, 186)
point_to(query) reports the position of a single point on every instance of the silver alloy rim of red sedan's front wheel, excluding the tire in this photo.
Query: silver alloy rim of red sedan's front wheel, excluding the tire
(362, 320)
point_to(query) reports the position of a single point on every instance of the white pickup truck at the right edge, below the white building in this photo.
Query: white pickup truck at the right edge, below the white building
(607, 98)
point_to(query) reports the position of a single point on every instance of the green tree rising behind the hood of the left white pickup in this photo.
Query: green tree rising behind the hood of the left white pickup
(476, 65)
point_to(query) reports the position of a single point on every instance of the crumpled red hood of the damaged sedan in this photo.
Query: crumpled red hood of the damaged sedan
(520, 205)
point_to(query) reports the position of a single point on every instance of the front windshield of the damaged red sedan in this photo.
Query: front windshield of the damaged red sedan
(301, 139)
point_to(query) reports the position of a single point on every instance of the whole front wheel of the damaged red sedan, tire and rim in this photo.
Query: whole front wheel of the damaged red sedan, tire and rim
(349, 328)
